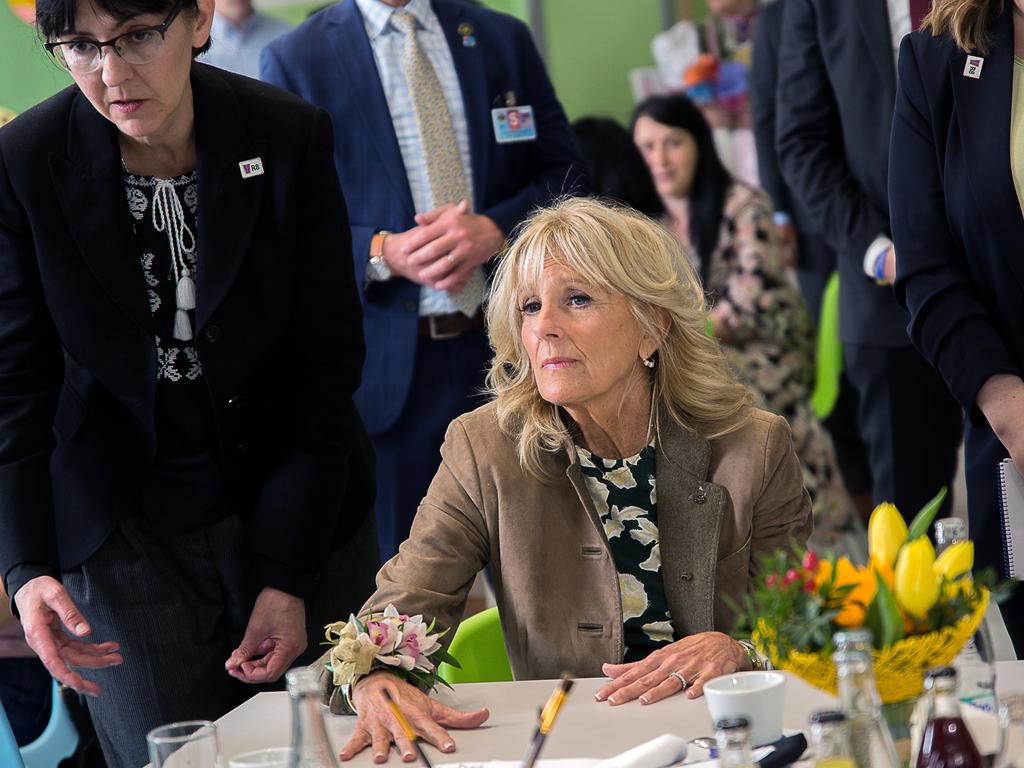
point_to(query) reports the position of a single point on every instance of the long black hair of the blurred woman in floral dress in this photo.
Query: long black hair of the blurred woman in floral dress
(711, 180)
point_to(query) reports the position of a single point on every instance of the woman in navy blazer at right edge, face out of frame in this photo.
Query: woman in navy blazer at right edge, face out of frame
(959, 230)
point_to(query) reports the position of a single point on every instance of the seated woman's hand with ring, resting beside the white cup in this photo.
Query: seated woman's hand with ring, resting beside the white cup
(697, 660)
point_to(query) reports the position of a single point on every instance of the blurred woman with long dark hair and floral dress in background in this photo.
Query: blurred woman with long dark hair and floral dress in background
(758, 314)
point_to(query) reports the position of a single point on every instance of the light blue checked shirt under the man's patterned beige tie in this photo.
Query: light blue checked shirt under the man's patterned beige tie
(389, 45)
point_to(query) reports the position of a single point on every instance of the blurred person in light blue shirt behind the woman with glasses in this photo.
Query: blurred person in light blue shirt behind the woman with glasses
(239, 35)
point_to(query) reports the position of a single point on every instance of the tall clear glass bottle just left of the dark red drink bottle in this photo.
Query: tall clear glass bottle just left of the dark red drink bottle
(870, 737)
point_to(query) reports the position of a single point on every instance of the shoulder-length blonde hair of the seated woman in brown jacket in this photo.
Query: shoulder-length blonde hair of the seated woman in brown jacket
(622, 251)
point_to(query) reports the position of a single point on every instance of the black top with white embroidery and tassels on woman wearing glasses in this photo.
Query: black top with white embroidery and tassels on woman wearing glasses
(187, 485)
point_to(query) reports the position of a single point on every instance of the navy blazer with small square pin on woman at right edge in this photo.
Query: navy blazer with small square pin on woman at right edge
(957, 222)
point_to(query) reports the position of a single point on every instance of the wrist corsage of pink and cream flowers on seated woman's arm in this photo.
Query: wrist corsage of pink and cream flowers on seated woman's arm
(405, 646)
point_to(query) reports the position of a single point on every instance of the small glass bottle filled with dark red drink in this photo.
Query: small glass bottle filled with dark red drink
(947, 742)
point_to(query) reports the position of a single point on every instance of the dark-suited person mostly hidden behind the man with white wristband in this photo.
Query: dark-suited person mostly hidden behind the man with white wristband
(803, 249)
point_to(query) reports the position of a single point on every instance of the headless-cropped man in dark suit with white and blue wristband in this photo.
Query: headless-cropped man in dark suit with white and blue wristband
(837, 88)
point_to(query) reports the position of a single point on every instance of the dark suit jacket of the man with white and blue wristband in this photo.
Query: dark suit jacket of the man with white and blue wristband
(836, 96)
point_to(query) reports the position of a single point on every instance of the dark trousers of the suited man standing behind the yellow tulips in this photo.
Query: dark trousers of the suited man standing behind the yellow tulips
(910, 422)
